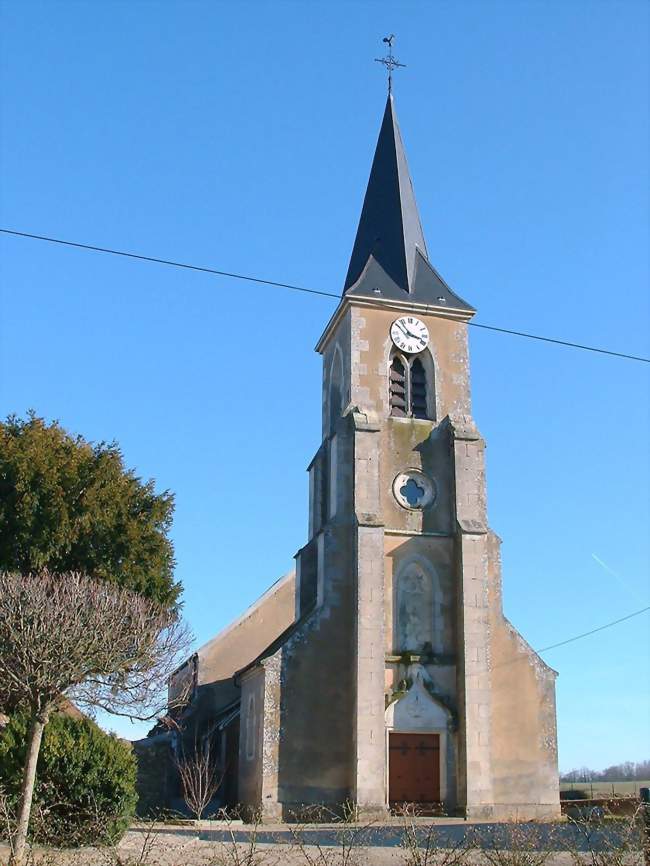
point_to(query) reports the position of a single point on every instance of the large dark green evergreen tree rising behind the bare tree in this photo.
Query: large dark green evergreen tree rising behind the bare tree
(69, 505)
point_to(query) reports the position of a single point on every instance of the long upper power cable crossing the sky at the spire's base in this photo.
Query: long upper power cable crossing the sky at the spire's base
(260, 281)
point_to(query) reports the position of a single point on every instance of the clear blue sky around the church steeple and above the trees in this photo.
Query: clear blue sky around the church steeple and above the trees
(240, 136)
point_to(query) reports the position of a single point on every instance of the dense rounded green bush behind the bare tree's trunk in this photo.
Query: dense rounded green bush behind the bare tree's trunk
(85, 780)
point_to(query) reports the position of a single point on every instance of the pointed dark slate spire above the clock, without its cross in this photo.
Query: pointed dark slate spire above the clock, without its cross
(389, 258)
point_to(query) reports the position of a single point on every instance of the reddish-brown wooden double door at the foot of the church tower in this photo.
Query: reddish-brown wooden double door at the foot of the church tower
(413, 768)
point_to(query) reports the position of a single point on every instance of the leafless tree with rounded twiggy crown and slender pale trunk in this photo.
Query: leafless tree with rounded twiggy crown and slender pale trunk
(68, 637)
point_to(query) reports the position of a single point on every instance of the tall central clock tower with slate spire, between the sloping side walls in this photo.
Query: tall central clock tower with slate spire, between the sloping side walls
(395, 361)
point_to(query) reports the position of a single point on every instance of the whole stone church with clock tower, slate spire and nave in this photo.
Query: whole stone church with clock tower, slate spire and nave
(382, 670)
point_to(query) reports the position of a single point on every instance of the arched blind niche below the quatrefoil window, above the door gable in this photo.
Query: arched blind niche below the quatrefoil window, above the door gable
(414, 609)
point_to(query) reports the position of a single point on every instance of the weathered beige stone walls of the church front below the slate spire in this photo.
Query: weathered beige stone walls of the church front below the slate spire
(402, 596)
